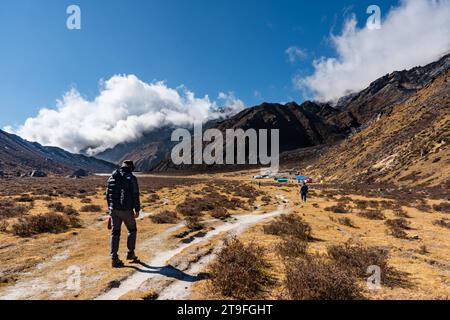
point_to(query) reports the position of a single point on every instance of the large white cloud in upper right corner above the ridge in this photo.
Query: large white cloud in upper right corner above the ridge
(415, 33)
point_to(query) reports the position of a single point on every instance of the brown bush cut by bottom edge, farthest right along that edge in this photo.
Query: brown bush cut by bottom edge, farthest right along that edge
(316, 278)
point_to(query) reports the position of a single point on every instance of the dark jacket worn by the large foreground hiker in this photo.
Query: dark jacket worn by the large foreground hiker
(122, 192)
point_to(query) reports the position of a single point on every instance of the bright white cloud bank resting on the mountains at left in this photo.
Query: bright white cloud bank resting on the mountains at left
(124, 110)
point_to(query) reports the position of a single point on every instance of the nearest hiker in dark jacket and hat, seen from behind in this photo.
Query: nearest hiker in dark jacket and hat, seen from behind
(123, 197)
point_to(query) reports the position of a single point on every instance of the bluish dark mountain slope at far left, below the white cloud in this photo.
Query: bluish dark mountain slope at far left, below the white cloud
(20, 156)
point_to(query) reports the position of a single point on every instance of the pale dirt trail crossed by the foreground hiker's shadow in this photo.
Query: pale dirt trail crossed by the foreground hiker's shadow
(172, 283)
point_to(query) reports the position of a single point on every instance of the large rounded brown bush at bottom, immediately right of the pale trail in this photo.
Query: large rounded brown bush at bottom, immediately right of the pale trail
(240, 271)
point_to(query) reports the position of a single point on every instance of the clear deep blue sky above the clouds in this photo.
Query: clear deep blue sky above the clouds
(208, 46)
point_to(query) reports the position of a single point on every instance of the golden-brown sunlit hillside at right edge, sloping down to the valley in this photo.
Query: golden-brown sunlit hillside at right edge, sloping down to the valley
(407, 144)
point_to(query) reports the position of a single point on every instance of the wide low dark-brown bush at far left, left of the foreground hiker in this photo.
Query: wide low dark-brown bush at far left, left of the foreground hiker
(43, 223)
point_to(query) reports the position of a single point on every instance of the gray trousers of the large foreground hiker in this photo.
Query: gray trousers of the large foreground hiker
(127, 217)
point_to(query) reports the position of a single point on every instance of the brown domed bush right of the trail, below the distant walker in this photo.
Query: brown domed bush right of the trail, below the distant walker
(289, 225)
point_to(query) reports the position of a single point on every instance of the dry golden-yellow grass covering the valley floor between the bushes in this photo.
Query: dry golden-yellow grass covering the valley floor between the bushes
(43, 260)
